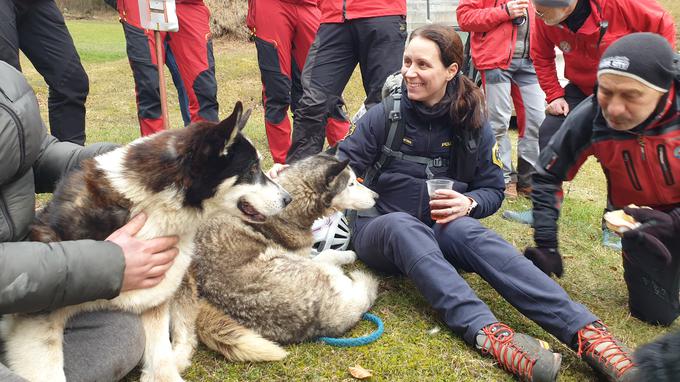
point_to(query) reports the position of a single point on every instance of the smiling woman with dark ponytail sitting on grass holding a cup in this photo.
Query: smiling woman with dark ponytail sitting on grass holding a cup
(446, 136)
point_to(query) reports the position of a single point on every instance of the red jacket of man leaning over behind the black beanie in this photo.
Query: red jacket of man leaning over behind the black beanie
(581, 52)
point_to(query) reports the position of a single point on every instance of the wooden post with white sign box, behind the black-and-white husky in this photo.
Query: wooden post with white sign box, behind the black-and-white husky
(159, 16)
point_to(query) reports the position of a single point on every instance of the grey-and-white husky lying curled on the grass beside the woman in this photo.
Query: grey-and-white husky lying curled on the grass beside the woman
(257, 281)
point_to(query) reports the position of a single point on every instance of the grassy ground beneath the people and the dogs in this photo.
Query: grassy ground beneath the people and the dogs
(410, 350)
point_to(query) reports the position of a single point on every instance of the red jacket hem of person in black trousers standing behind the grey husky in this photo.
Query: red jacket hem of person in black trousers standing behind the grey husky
(337, 11)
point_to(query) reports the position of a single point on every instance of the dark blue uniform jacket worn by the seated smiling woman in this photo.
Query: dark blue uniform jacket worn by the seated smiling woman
(401, 184)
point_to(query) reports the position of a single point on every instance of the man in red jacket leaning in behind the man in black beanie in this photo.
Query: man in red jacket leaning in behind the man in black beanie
(582, 30)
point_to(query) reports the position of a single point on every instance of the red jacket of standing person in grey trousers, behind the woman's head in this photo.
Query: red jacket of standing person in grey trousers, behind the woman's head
(493, 35)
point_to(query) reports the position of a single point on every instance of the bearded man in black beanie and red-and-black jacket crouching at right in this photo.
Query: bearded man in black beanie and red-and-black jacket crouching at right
(632, 128)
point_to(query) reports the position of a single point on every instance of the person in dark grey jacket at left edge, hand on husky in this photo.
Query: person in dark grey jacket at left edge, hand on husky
(34, 277)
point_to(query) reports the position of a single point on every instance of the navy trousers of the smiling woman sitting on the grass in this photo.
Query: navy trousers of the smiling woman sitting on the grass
(431, 257)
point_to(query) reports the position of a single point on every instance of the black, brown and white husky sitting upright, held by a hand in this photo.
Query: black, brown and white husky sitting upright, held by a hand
(178, 178)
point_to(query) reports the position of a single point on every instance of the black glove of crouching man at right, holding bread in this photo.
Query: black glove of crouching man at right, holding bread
(657, 228)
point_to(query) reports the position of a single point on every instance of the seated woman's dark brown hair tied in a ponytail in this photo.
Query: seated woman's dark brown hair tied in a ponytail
(467, 106)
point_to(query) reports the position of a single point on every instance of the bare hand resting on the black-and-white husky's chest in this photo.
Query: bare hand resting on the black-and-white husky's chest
(146, 261)
